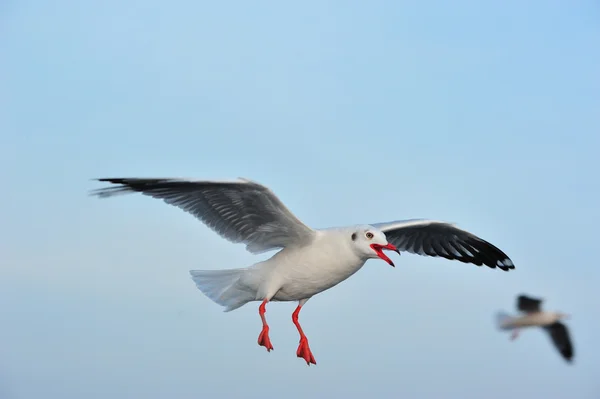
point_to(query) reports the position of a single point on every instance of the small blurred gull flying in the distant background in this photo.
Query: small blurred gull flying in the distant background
(534, 316)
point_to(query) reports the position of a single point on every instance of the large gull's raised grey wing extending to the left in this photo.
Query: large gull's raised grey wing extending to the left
(240, 211)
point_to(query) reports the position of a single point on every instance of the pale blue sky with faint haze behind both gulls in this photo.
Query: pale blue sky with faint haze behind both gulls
(486, 114)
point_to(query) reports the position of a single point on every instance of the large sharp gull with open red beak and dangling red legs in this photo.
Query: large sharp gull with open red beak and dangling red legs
(308, 261)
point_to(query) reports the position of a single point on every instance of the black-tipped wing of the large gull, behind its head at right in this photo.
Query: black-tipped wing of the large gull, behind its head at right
(441, 239)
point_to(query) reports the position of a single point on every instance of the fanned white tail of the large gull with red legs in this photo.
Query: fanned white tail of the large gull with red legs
(222, 287)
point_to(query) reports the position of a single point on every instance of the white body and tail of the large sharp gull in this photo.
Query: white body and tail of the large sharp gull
(292, 274)
